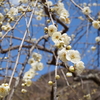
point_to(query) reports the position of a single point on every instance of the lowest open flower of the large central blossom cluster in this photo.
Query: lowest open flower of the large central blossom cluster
(79, 67)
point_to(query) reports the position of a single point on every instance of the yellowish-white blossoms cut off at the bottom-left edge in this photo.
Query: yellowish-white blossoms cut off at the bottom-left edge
(4, 90)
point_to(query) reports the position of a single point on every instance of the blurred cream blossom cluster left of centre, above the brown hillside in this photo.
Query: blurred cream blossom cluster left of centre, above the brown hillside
(36, 65)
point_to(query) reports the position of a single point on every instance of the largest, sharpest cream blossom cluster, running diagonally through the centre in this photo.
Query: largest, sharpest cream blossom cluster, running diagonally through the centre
(65, 53)
